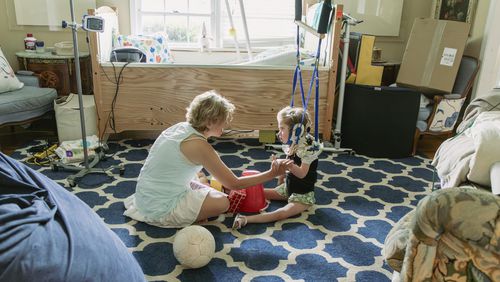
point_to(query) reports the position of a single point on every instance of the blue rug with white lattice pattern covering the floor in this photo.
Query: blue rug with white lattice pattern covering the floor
(359, 199)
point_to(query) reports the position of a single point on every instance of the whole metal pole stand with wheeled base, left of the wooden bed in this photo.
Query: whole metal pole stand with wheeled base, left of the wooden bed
(87, 167)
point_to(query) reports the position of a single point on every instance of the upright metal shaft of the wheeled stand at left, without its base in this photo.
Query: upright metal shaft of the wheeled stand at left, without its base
(74, 28)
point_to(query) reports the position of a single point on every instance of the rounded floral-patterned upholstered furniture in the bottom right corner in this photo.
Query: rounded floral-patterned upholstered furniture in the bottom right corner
(453, 235)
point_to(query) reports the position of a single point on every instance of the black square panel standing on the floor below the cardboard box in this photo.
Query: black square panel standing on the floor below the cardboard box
(379, 121)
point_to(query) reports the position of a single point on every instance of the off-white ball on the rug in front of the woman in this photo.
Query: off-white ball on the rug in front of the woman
(194, 246)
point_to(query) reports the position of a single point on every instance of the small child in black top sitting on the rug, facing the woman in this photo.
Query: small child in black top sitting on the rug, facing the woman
(298, 185)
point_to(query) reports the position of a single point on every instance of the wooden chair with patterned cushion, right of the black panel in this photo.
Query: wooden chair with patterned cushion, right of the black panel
(447, 109)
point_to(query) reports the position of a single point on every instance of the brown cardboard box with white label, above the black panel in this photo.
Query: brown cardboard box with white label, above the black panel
(432, 55)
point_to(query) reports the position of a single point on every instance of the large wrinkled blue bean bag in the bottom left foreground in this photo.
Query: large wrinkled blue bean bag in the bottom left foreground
(48, 234)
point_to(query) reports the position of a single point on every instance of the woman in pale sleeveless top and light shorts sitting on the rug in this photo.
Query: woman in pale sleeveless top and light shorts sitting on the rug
(166, 194)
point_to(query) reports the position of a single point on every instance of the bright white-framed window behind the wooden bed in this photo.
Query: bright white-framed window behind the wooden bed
(269, 22)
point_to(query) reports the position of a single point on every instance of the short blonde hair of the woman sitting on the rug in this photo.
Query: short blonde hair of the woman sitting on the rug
(209, 108)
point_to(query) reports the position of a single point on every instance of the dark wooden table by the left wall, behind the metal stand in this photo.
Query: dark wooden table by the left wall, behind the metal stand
(56, 71)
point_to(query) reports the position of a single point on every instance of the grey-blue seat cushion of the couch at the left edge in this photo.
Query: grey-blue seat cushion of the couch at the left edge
(25, 103)
